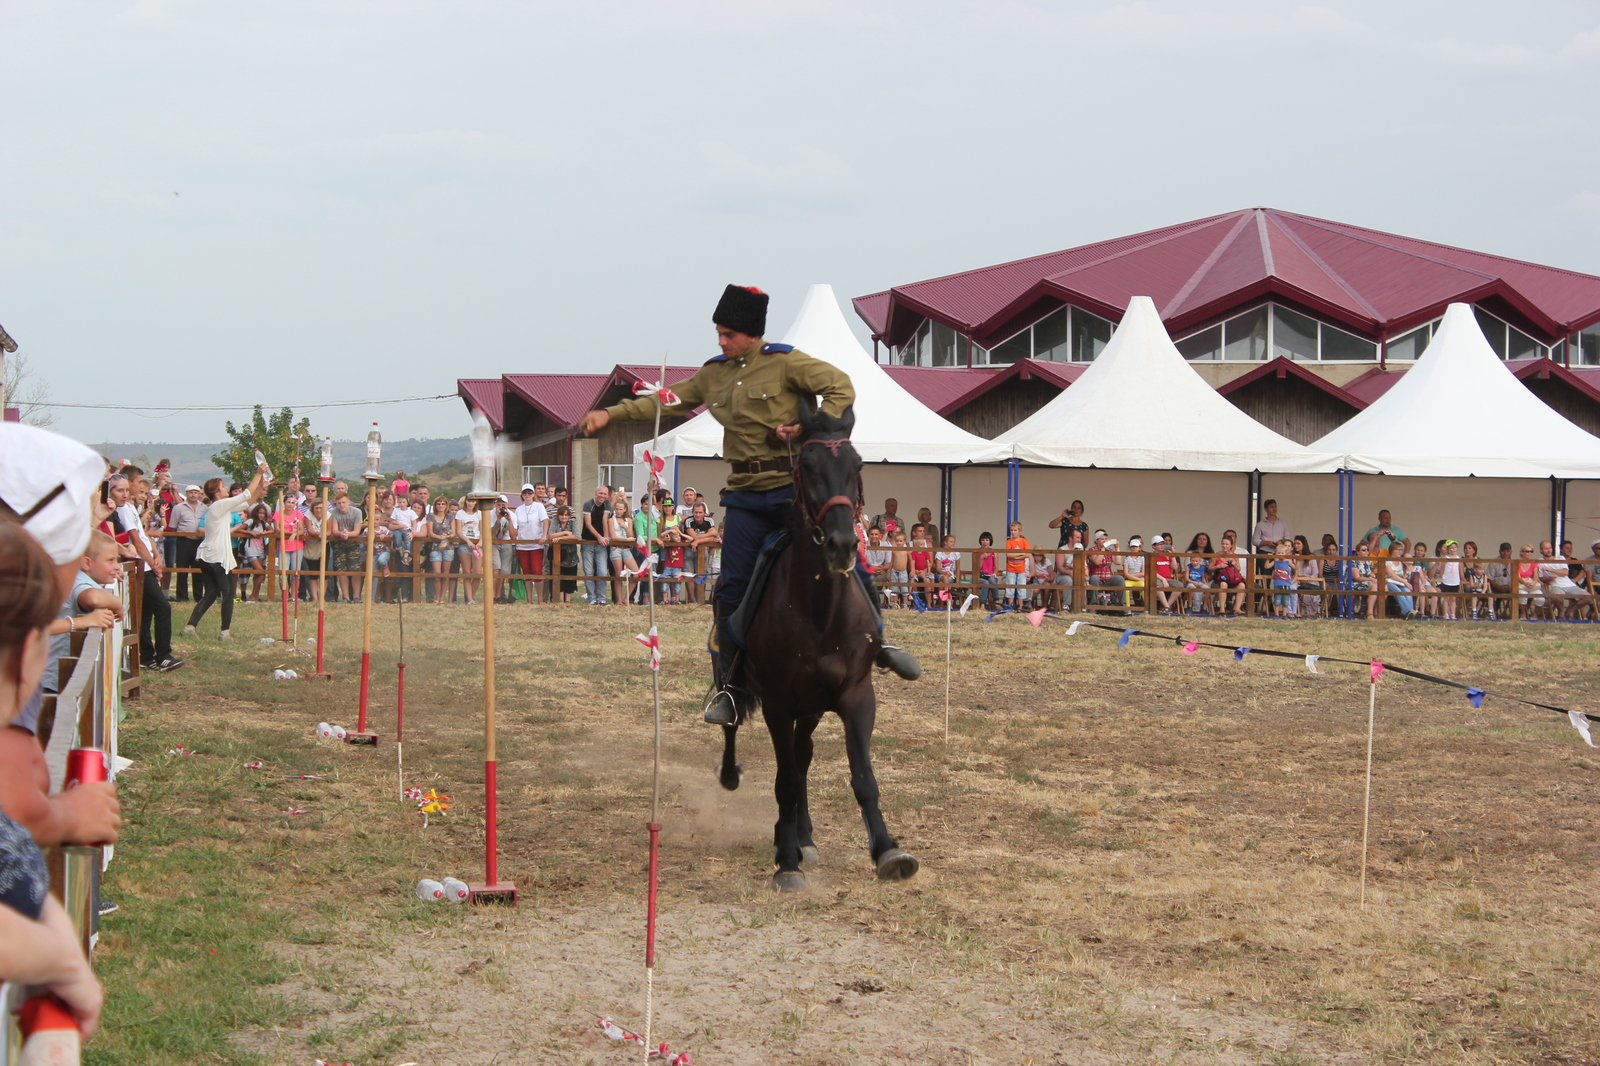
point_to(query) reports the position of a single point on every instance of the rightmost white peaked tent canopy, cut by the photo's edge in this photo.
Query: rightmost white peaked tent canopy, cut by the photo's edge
(1462, 412)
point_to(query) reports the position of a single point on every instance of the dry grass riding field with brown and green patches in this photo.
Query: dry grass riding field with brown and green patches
(1129, 856)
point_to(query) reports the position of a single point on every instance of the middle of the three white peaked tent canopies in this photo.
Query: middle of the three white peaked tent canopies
(1142, 406)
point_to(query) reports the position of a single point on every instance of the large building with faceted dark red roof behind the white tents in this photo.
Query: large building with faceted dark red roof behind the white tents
(1282, 313)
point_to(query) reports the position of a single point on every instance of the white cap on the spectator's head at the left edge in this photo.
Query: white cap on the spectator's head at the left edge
(49, 481)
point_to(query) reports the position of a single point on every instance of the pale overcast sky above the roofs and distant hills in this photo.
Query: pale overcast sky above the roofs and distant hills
(308, 202)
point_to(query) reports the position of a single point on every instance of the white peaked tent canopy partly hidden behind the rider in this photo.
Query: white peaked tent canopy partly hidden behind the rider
(892, 425)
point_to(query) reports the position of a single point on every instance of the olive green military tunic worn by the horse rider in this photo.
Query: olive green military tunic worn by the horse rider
(751, 396)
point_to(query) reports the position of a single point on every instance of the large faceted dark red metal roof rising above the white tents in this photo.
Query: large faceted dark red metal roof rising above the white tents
(1366, 279)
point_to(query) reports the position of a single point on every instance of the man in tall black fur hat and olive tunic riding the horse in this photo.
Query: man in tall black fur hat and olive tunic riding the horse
(754, 391)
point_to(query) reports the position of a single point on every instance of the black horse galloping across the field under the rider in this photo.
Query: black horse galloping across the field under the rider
(812, 646)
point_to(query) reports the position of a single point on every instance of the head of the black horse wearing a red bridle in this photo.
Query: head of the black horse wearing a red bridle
(828, 483)
